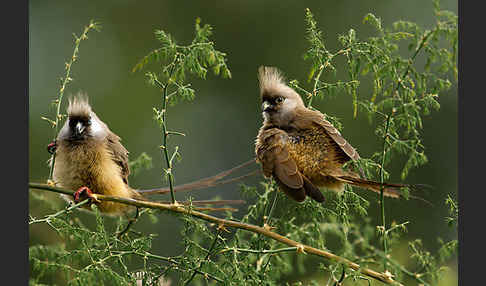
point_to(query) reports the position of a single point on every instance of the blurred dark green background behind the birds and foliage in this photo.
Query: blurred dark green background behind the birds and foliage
(223, 120)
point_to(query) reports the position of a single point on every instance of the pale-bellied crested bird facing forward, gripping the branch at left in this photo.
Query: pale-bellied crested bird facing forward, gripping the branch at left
(91, 159)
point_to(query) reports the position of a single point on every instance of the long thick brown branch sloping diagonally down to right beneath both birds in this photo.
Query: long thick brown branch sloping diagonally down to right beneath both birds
(177, 208)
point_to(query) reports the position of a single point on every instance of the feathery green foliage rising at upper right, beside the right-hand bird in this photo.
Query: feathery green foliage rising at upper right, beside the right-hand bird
(402, 92)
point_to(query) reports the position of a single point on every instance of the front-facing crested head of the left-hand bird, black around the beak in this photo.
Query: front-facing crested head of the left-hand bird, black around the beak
(82, 123)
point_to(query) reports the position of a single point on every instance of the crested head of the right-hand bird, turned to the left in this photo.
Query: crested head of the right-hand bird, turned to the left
(279, 101)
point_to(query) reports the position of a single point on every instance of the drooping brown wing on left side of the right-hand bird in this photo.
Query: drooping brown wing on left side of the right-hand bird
(272, 151)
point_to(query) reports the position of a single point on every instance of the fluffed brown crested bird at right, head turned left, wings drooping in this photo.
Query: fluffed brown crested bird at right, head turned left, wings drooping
(300, 149)
